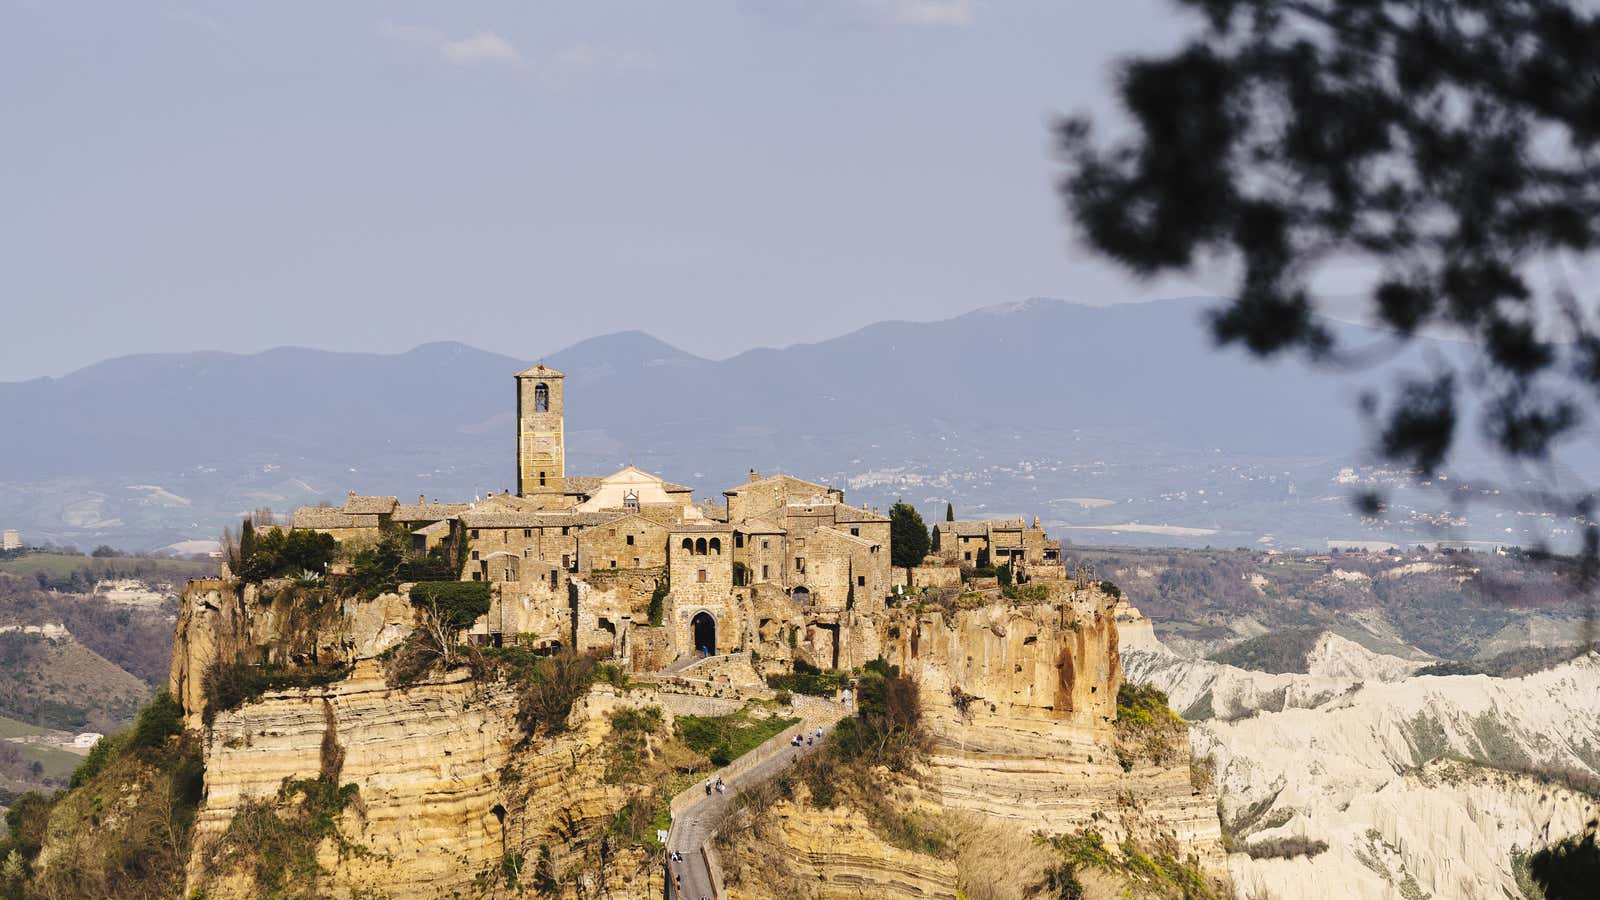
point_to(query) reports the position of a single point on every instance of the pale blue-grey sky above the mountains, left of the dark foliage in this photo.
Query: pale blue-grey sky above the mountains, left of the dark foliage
(367, 175)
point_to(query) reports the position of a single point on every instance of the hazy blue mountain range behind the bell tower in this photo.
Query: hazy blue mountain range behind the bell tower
(1082, 416)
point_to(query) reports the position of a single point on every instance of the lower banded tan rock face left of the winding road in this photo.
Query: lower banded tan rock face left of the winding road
(444, 784)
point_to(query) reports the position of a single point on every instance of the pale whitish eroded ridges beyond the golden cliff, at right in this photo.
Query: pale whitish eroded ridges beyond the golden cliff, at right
(1401, 785)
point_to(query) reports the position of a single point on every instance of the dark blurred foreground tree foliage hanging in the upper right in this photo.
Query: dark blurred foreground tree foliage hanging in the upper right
(1450, 148)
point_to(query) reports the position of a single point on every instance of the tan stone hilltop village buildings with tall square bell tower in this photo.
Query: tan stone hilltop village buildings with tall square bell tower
(783, 566)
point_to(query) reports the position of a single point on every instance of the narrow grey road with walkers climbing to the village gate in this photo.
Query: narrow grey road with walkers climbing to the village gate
(694, 827)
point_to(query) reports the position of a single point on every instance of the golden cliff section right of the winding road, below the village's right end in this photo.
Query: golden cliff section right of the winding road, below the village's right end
(1020, 704)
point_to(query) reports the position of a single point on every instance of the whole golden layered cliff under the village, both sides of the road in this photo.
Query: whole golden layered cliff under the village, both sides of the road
(470, 781)
